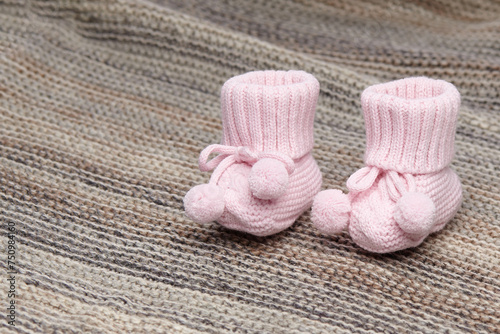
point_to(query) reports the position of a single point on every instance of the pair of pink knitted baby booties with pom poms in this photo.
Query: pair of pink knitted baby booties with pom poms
(265, 176)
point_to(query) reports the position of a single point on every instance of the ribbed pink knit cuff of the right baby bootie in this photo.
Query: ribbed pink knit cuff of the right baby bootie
(410, 124)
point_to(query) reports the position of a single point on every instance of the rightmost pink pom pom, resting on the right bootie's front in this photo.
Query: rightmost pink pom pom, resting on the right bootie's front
(415, 213)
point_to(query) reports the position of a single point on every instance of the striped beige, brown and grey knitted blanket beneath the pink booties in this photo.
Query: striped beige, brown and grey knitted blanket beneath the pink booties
(106, 105)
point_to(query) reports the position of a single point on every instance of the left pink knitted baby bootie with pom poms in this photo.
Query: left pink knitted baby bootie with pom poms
(265, 176)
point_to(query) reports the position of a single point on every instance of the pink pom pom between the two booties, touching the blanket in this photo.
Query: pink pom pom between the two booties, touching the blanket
(330, 211)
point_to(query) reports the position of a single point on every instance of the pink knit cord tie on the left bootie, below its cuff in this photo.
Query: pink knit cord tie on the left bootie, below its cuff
(240, 154)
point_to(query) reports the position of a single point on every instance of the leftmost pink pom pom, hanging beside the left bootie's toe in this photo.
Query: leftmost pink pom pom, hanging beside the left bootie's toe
(204, 203)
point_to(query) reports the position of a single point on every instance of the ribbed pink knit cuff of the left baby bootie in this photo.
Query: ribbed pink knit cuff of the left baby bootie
(270, 111)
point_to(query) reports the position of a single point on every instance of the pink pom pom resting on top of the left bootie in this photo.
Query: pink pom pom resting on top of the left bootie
(268, 179)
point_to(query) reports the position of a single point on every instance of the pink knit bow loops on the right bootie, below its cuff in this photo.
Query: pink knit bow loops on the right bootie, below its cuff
(397, 183)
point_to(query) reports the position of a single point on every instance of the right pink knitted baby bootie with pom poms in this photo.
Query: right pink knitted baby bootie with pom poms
(407, 189)
